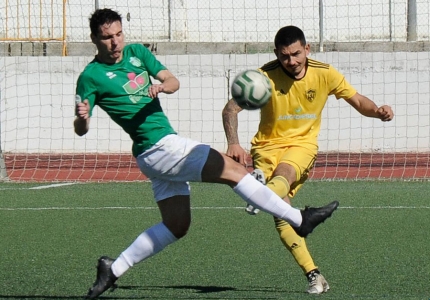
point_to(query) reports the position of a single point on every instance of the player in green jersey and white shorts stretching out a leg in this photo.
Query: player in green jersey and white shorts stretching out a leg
(118, 80)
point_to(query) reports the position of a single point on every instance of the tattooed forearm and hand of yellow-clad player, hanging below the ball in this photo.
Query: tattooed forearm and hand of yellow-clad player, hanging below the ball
(230, 123)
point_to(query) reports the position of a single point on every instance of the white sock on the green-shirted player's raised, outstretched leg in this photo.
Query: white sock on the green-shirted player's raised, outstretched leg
(260, 196)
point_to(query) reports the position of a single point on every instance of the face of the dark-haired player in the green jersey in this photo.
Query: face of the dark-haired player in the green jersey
(109, 42)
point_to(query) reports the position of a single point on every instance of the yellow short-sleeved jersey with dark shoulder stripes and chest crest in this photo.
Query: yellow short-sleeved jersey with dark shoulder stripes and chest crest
(293, 114)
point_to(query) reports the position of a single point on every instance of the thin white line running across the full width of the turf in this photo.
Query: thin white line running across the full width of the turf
(193, 208)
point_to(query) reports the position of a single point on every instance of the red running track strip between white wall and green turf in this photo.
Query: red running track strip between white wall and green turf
(122, 167)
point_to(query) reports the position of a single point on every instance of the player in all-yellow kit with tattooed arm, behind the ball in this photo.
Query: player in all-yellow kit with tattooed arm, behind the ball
(285, 147)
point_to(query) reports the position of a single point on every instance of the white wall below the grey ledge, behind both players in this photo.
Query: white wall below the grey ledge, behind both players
(37, 103)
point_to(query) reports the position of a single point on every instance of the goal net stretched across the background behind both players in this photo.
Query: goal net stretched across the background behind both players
(382, 51)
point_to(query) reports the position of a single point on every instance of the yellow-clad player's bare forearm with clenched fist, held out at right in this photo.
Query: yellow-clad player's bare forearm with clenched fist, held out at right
(368, 108)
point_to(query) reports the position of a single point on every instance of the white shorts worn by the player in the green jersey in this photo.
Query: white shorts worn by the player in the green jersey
(171, 163)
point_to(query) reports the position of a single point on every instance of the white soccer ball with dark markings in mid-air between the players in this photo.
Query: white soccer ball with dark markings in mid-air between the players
(251, 89)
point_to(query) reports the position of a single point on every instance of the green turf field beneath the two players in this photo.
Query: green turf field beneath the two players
(376, 246)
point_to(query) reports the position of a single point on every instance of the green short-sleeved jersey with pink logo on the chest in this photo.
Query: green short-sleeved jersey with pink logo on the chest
(121, 90)
